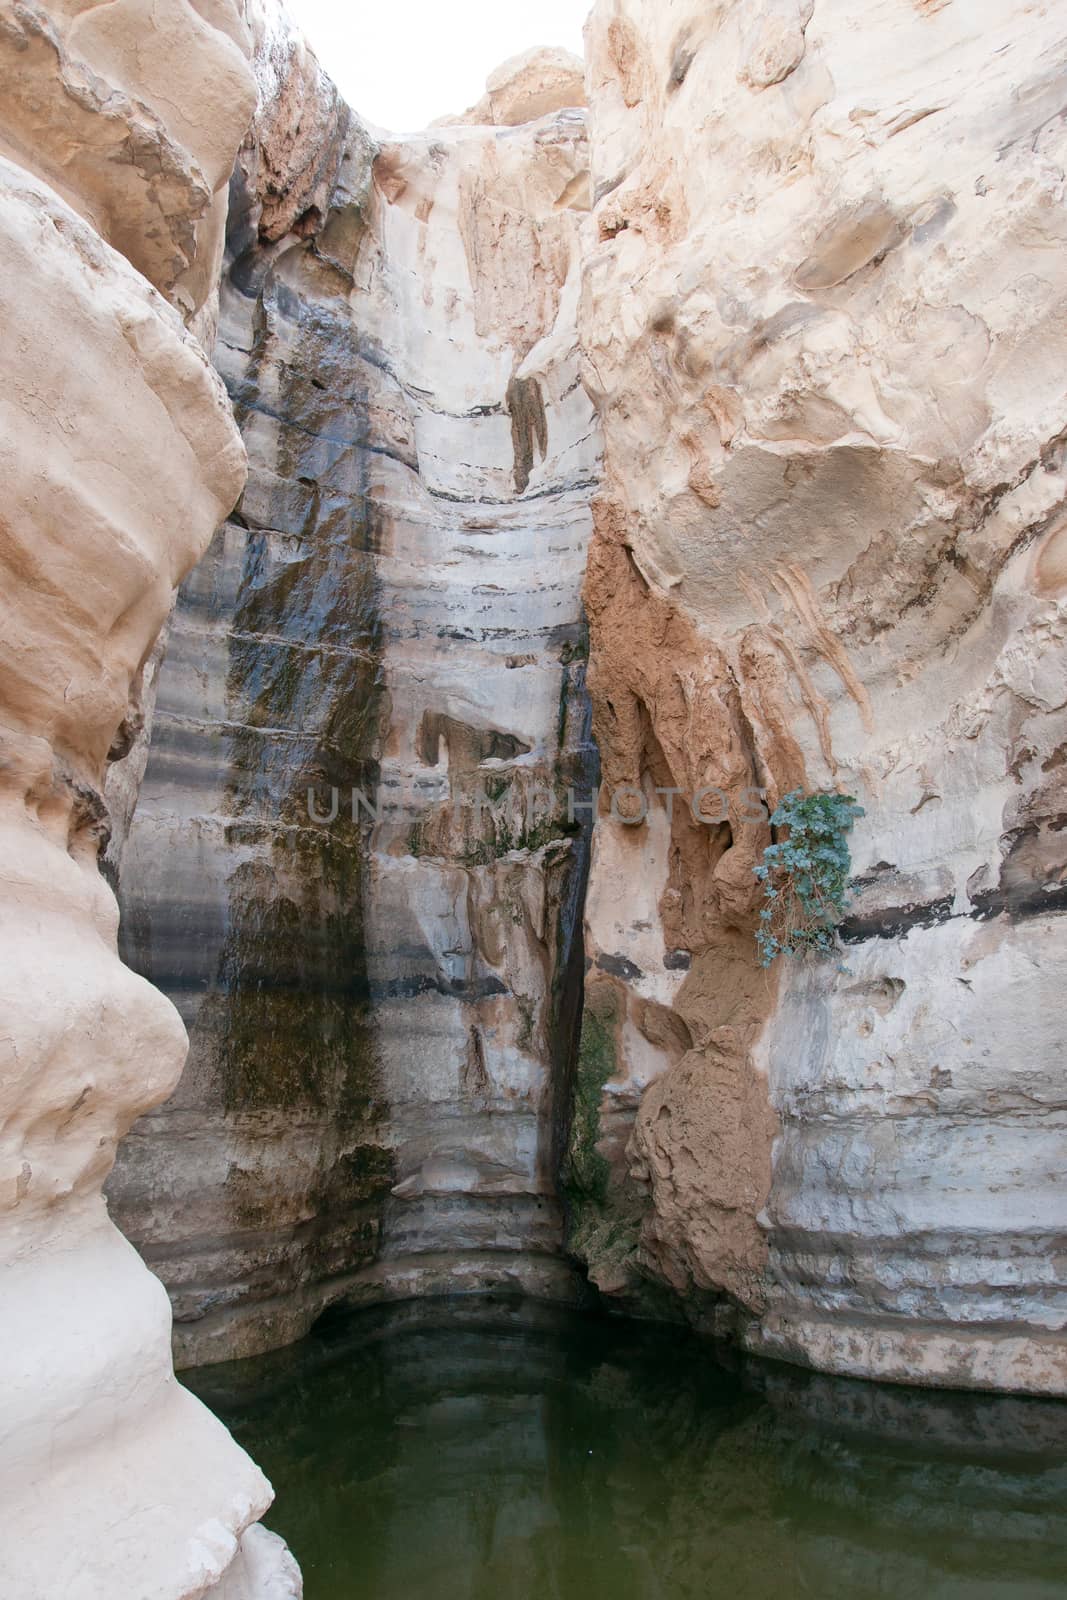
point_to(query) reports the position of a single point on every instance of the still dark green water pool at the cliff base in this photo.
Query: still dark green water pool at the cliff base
(458, 1452)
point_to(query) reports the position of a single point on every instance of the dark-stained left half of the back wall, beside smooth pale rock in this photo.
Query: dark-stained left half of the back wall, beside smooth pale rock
(238, 905)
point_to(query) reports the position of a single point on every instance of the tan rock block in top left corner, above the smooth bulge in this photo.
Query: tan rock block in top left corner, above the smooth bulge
(132, 111)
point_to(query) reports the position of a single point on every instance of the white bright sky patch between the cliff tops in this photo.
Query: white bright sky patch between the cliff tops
(404, 63)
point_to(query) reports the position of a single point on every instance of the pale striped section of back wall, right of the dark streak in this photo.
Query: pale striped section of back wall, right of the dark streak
(479, 862)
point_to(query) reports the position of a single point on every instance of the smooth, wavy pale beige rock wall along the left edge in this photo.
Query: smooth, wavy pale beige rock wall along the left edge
(118, 134)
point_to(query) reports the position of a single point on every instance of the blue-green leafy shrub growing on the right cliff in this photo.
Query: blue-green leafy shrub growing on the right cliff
(805, 876)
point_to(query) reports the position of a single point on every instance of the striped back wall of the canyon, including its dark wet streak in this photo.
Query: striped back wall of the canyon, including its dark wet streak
(380, 1001)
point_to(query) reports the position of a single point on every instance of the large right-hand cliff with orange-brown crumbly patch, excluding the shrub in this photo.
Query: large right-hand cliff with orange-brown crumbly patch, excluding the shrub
(823, 321)
